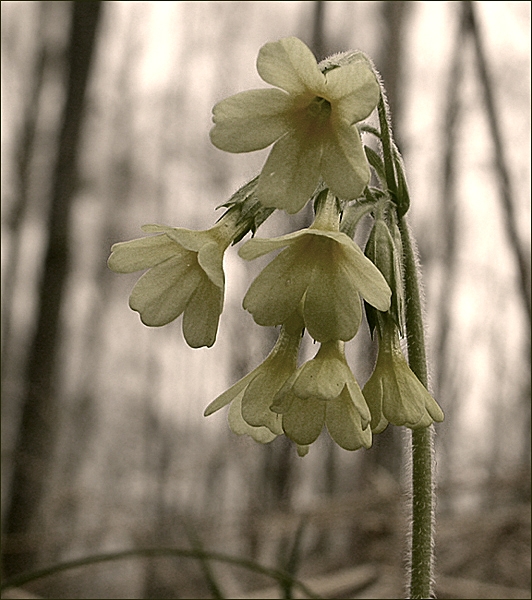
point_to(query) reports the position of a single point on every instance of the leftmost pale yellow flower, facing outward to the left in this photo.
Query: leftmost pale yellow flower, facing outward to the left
(185, 276)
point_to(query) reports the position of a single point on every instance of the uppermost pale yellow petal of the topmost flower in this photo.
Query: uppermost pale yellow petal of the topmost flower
(290, 65)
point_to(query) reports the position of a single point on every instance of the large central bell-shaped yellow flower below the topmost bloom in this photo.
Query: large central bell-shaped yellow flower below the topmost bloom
(321, 272)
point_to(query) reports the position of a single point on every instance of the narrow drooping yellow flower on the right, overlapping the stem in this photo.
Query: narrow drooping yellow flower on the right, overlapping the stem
(393, 392)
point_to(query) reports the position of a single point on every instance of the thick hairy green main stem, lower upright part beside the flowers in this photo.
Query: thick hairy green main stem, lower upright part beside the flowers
(421, 558)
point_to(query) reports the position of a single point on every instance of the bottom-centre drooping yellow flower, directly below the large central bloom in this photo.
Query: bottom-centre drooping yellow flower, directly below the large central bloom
(324, 392)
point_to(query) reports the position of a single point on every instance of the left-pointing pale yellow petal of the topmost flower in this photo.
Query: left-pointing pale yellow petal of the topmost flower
(250, 120)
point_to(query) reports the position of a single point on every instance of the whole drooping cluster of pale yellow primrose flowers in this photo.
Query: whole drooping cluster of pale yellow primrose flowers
(319, 280)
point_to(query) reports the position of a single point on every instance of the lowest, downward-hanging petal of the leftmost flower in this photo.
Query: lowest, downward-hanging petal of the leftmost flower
(202, 314)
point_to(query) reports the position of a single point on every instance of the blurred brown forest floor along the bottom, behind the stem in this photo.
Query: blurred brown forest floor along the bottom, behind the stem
(353, 547)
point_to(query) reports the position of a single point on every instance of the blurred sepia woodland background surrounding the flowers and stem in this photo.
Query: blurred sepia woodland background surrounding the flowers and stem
(106, 109)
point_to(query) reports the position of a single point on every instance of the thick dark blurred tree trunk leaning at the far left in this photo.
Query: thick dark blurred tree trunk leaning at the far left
(35, 440)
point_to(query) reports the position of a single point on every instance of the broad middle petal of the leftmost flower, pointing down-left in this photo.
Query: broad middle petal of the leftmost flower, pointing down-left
(162, 293)
